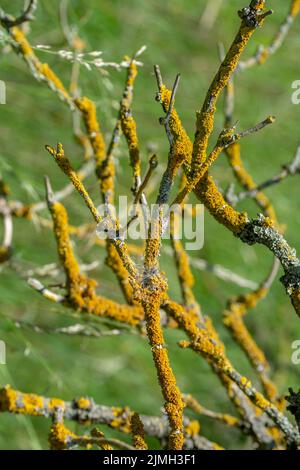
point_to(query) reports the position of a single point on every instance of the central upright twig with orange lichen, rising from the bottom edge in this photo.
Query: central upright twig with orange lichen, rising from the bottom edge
(153, 290)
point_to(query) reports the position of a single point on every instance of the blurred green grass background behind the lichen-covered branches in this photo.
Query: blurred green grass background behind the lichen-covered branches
(119, 370)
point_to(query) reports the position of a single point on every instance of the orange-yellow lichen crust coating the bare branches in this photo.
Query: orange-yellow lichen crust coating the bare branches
(146, 301)
